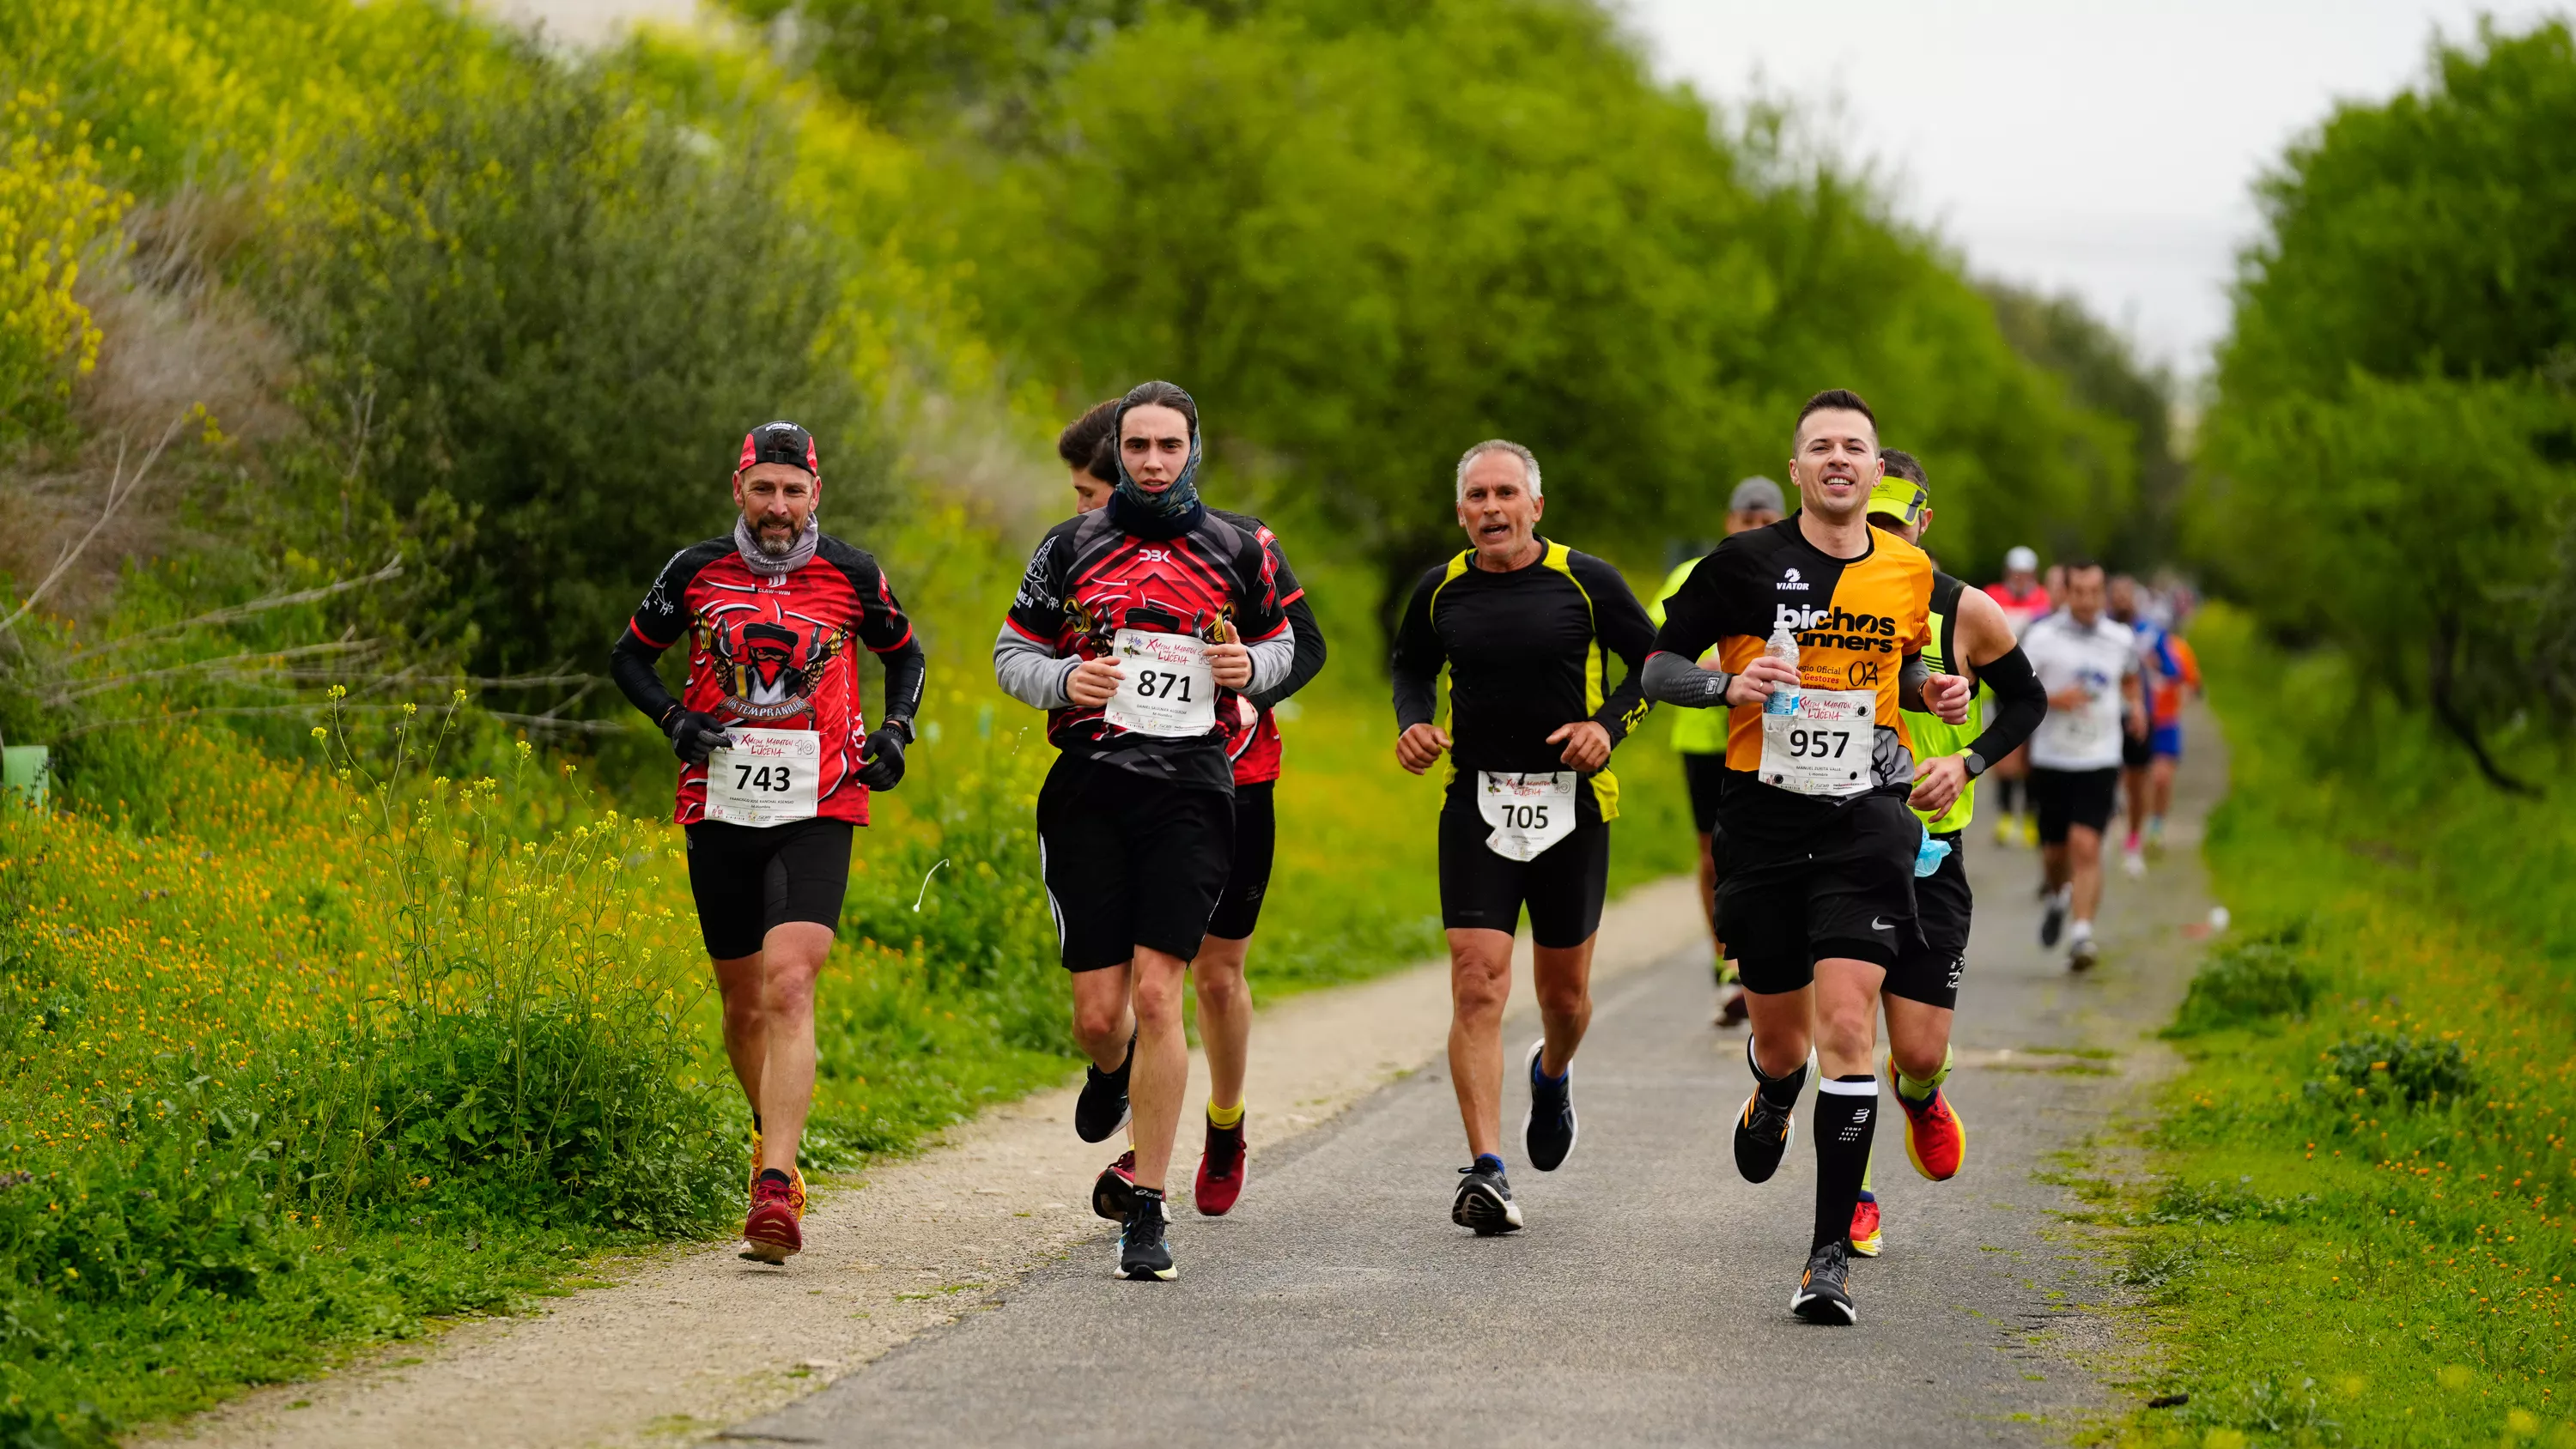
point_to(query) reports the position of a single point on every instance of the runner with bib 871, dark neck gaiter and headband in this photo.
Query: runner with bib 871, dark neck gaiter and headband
(1130, 629)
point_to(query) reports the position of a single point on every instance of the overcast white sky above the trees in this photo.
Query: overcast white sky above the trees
(2075, 145)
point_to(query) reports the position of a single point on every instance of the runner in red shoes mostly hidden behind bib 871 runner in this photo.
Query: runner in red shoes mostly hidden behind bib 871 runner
(1225, 1000)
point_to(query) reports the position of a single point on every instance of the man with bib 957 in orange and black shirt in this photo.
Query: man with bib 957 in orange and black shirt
(1820, 848)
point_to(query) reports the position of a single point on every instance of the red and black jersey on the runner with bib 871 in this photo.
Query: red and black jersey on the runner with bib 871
(1088, 580)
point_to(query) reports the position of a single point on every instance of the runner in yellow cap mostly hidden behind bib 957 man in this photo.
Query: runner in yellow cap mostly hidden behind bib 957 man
(1923, 992)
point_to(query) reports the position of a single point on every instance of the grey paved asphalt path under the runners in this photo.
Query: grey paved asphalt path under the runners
(1647, 1301)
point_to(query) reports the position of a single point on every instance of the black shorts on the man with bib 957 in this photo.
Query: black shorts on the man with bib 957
(1846, 892)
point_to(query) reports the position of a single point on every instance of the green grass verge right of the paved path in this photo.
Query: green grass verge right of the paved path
(2363, 1221)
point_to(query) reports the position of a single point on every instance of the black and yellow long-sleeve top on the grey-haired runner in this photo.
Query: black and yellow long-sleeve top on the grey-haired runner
(1526, 655)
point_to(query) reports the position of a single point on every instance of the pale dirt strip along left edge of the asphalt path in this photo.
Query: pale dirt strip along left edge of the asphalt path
(689, 1345)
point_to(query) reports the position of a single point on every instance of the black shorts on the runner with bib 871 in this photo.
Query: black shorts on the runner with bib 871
(1130, 861)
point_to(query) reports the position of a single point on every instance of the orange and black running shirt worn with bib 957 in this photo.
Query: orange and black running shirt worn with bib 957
(1856, 622)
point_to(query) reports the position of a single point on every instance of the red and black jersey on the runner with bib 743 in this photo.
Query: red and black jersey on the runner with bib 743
(774, 652)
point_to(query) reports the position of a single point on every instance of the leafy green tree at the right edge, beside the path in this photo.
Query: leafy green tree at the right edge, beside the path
(2389, 457)
